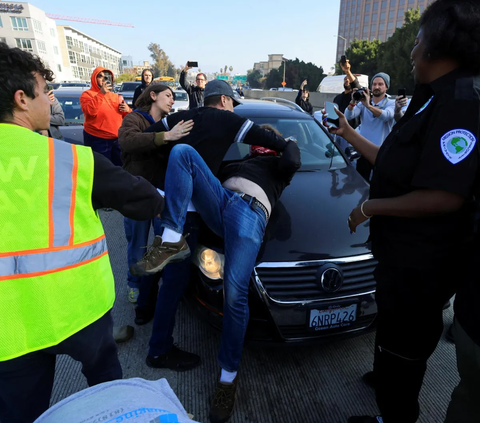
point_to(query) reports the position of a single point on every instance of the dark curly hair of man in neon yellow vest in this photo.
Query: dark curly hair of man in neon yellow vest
(16, 73)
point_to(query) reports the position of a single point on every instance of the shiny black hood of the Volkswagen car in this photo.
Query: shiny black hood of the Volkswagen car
(309, 222)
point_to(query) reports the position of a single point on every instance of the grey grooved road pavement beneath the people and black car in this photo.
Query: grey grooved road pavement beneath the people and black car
(317, 384)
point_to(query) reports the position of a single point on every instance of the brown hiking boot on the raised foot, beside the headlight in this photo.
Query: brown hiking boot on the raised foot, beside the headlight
(159, 255)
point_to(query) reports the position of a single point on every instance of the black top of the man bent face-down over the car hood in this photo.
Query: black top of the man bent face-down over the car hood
(273, 174)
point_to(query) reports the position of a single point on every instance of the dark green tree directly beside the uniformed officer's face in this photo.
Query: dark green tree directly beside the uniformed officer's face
(394, 54)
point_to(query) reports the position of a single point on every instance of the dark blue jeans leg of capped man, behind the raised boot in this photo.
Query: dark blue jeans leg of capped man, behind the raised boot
(175, 279)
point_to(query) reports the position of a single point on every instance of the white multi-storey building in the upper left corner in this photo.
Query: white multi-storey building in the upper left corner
(69, 53)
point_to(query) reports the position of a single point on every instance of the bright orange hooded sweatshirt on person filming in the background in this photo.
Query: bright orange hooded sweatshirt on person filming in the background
(102, 117)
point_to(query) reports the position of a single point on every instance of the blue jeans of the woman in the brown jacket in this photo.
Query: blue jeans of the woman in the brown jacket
(136, 232)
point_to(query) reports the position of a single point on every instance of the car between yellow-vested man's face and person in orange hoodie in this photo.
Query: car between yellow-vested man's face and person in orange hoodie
(69, 99)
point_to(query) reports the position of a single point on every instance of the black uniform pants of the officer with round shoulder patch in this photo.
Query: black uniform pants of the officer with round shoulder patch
(410, 324)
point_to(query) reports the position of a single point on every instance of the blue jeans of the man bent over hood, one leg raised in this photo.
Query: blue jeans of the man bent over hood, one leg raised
(229, 216)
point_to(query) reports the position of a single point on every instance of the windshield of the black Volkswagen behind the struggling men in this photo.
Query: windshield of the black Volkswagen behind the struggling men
(316, 148)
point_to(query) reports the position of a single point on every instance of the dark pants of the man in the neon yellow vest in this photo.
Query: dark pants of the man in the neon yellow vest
(26, 382)
